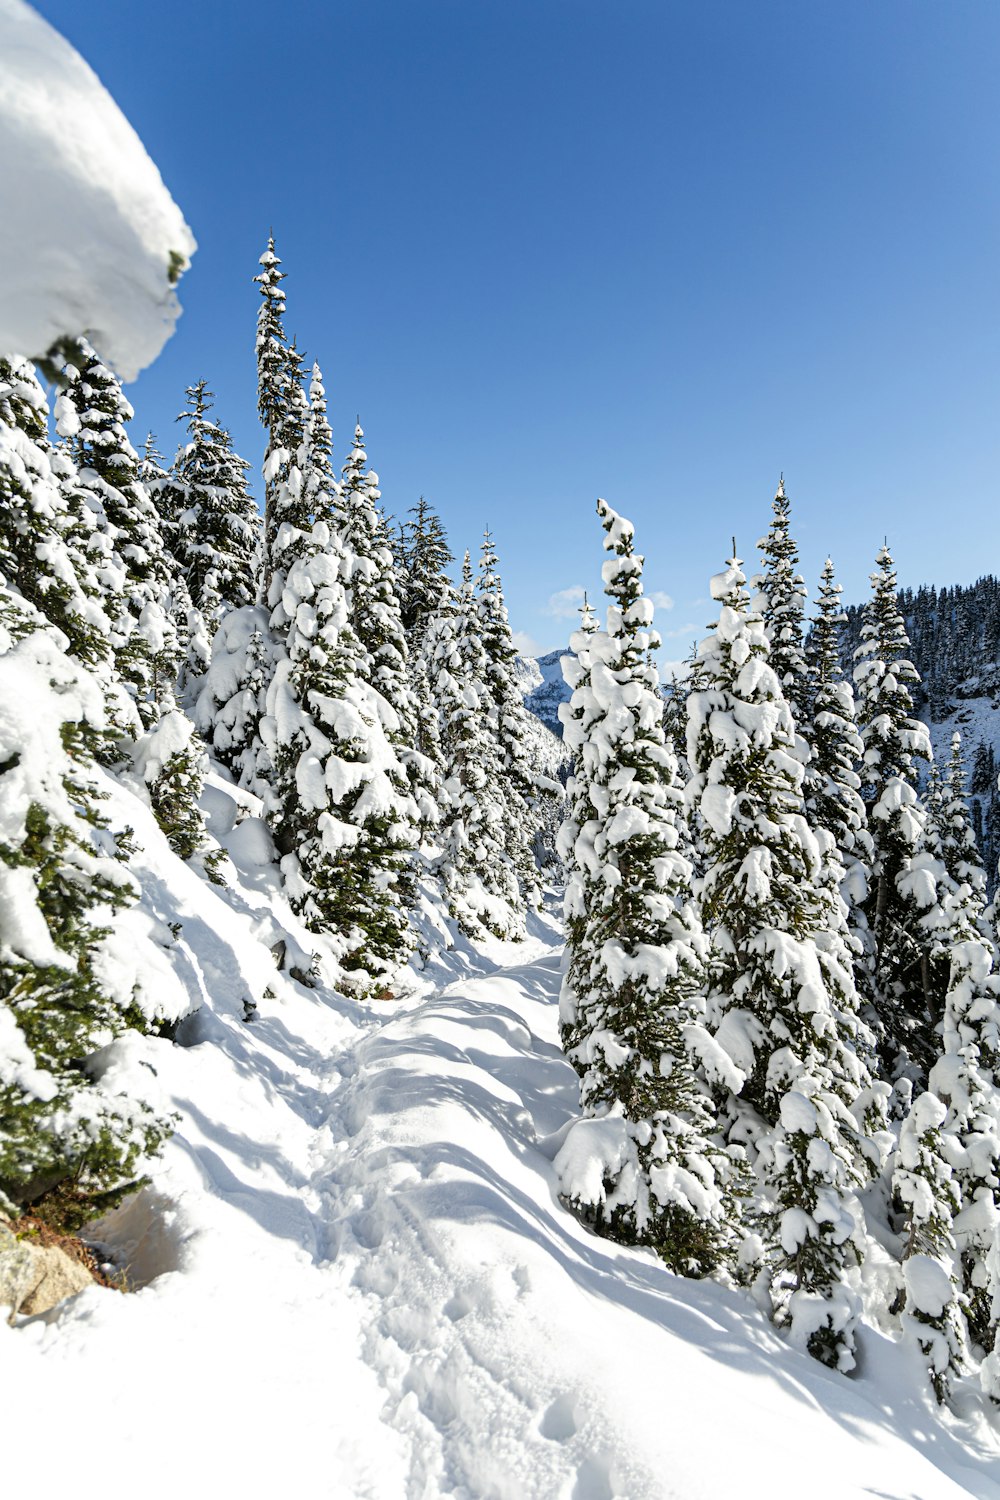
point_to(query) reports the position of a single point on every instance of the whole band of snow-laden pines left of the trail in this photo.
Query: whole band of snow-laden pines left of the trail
(151, 617)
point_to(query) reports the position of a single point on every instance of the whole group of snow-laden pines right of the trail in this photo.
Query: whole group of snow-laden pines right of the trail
(782, 991)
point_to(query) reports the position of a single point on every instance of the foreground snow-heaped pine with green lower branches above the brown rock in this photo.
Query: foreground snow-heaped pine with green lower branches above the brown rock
(68, 986)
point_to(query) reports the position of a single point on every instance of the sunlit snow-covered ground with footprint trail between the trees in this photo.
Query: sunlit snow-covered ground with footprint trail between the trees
(355, 1277)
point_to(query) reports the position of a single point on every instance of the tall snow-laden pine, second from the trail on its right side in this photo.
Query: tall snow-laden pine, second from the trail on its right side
(782, 997)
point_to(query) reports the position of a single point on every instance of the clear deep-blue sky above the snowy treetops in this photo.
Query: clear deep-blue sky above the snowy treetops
(551, 250)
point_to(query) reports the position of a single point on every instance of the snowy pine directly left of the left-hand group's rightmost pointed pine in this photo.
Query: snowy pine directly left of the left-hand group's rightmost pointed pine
(475, 866)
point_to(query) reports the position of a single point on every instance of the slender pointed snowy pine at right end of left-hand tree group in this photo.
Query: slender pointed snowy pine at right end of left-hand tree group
(527, 793)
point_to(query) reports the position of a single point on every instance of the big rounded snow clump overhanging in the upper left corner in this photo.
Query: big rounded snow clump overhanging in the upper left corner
(94, 239)
